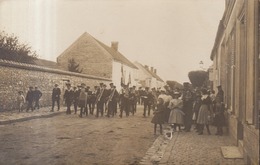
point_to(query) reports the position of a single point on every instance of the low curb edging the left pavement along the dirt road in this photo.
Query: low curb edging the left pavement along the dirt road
(30, 118)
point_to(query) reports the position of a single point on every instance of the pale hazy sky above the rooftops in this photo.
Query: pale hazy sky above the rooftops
(172, 36)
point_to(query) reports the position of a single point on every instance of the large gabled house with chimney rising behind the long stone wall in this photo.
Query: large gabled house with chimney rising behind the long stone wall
(96, 58)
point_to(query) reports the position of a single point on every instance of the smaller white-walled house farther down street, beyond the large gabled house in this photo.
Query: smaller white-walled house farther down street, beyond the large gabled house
(148, 77)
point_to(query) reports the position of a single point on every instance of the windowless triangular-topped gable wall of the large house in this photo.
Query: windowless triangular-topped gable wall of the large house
(91, 57)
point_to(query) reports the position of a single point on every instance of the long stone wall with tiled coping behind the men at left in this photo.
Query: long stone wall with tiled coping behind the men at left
(18, 77)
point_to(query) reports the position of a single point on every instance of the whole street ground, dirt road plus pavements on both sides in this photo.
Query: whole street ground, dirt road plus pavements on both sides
(70, 140)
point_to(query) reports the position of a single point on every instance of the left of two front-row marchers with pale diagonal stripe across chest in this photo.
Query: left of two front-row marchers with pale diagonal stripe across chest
(101, 96)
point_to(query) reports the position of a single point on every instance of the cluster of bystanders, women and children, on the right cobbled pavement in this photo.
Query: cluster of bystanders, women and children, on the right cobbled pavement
(188, 107)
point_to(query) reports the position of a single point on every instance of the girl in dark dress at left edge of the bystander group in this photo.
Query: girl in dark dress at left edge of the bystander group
(158, 117)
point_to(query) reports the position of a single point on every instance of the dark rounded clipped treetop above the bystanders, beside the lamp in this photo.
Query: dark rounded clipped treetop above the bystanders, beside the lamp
(198, 78)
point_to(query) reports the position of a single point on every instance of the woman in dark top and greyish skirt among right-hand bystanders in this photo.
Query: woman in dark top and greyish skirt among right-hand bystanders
(204, 112)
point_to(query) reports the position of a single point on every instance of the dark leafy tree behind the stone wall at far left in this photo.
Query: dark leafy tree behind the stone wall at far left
(11, 49)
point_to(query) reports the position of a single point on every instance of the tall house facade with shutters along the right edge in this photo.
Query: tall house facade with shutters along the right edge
(235, 56)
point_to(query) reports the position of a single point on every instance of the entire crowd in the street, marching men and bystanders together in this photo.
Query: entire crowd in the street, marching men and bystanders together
(179, 108)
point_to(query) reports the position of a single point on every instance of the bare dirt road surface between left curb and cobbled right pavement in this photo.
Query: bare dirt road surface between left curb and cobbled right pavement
(70, 140)
